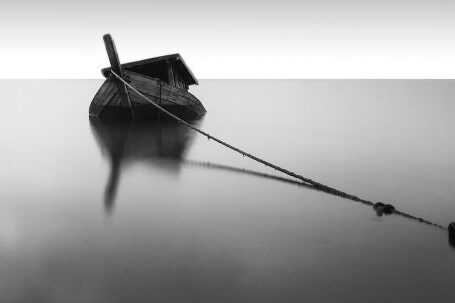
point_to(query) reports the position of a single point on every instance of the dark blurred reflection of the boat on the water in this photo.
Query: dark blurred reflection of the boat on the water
(127, 142)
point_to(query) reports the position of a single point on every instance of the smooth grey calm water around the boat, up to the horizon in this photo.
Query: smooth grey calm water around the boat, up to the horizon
(91, 212)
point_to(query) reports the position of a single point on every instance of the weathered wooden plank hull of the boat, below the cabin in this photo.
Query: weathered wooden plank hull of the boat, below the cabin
(108, 102)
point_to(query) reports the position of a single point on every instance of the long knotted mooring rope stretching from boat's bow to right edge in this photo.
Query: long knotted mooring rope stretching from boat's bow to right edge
(380, 208)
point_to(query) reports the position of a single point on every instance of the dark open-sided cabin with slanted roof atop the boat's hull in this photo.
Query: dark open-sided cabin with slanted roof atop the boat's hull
(170, 69)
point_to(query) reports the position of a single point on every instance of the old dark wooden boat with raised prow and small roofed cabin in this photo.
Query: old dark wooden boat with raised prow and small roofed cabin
(165, 80)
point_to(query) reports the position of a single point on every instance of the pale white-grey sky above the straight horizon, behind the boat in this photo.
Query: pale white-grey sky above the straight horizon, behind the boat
(233, 39)
